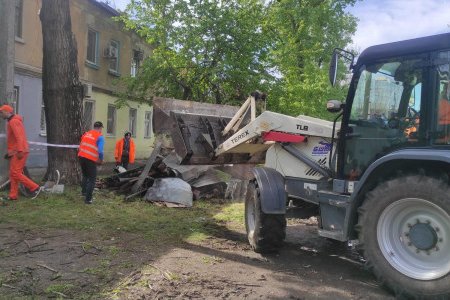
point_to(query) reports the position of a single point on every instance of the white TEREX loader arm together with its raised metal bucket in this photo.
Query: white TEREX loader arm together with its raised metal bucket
(205, 134)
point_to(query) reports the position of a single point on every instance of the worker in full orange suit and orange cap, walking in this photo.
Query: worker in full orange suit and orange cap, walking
(17, 153)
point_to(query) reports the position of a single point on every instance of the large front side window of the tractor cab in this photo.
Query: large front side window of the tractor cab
(385, 113)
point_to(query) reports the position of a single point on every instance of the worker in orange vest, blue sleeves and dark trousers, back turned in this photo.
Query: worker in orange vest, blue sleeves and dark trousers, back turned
(90, 154)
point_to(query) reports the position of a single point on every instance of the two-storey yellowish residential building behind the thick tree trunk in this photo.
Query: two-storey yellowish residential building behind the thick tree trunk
(106, 52)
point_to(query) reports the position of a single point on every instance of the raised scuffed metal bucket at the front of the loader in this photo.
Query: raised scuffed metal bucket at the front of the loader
(196, 131)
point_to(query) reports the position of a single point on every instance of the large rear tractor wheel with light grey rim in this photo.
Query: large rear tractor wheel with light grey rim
(405, 234)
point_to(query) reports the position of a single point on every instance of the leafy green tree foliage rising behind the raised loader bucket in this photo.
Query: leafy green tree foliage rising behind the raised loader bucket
(220, 51)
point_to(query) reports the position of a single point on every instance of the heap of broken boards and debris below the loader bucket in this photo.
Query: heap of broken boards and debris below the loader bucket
(165, 182)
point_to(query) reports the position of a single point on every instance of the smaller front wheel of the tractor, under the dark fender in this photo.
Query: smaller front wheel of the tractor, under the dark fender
(265, 232)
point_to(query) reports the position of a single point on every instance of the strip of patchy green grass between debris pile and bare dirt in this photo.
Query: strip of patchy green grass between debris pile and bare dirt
(110, 214)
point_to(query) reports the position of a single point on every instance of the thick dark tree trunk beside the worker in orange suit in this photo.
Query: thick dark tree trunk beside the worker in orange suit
(62, 89)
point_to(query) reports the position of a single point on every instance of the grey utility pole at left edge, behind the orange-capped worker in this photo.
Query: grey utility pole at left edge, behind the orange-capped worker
(7, 13)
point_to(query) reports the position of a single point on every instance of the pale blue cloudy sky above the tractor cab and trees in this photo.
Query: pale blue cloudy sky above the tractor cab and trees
(385, 21)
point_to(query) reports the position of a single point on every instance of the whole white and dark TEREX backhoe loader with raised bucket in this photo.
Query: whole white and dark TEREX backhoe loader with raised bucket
(378, 175)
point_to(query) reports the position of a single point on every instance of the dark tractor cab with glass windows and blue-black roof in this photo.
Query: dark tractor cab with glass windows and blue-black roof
(398, 99)
